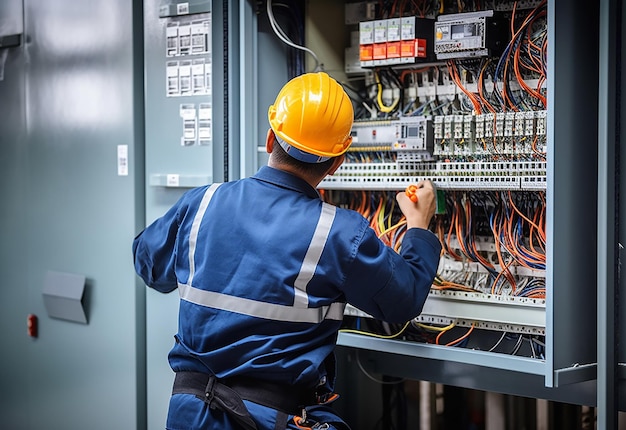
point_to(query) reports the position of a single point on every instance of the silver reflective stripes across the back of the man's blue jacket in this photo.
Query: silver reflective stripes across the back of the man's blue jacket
(299, 312)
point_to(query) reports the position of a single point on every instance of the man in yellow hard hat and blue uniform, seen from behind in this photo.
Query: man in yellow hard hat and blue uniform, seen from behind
(264, 269)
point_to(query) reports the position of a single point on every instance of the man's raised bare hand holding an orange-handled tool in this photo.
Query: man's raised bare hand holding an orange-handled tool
(420, 209)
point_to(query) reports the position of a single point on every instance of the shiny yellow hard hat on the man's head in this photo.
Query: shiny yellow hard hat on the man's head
(312, 118)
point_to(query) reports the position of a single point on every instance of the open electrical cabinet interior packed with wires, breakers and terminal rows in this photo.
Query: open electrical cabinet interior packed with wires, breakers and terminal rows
(472, 119)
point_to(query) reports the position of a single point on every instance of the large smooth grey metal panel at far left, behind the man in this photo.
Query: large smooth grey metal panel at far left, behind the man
(71, 94)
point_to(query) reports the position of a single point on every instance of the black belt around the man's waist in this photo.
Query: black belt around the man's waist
(227, 394)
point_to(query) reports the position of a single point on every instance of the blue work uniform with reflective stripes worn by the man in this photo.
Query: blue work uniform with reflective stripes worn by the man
(264, 269)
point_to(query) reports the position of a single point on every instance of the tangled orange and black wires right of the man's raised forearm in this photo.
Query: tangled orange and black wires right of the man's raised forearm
(513, 222)
